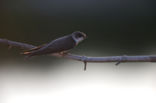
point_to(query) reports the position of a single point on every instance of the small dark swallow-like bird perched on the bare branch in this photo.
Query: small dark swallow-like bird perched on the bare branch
(60, 45)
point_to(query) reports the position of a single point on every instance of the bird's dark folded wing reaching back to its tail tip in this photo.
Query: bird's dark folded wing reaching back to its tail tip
(57, 45)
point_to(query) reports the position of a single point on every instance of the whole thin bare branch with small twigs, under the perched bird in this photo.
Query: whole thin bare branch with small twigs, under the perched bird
(85, 59)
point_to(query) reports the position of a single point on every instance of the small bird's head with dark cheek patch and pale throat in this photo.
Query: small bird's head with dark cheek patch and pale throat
(78, 36)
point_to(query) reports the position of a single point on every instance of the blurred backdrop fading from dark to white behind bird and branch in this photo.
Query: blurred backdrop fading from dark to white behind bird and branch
(114, 27)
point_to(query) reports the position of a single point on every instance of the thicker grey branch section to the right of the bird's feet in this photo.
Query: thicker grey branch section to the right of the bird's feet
(113, 58)
